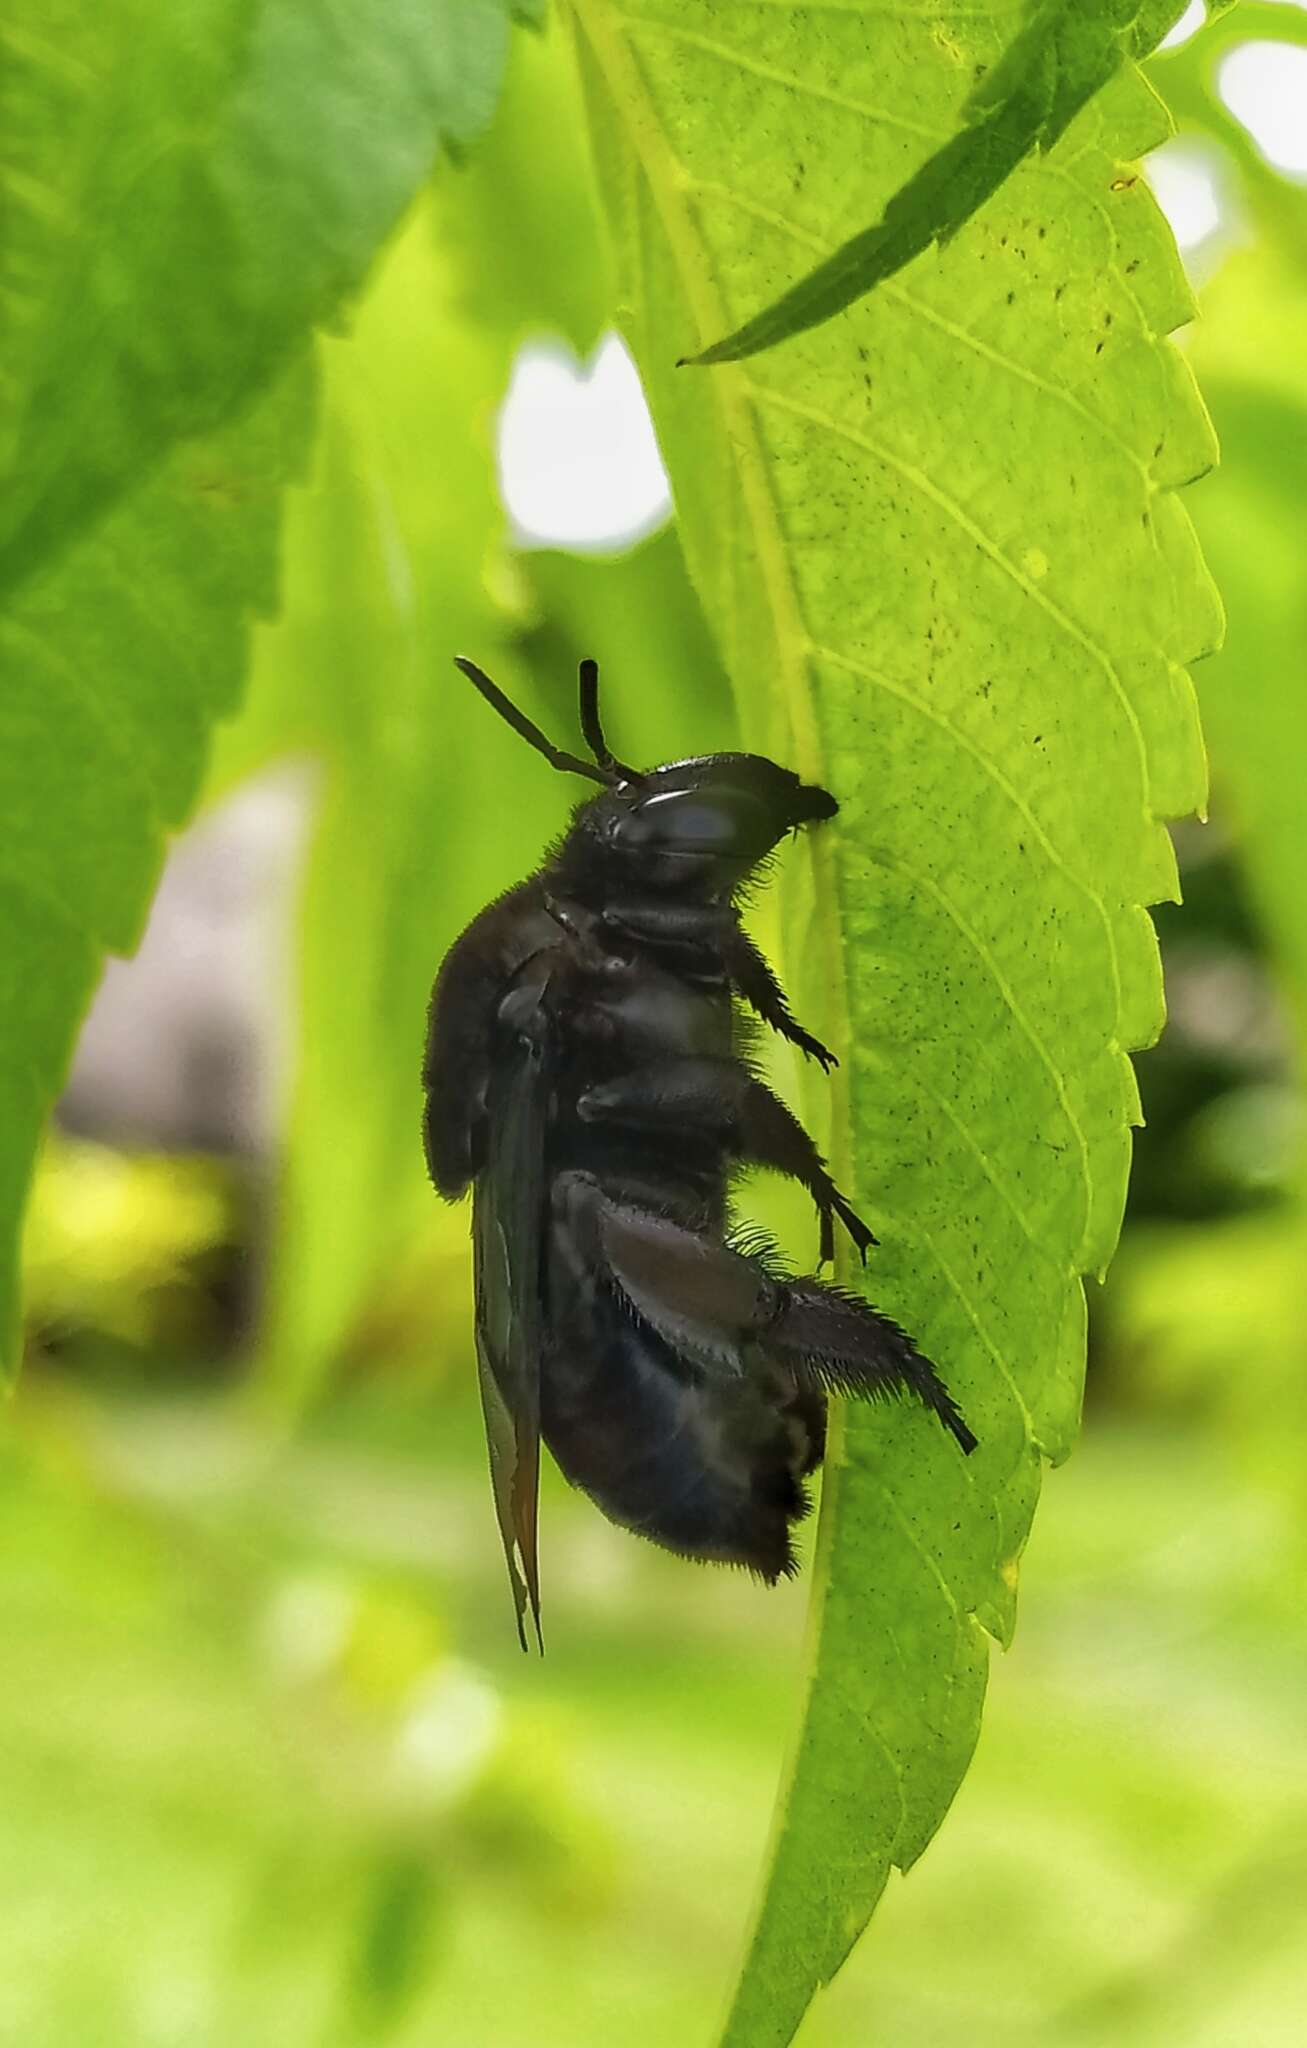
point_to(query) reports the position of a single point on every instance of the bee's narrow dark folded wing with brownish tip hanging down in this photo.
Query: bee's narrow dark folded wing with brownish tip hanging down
(507, 1228)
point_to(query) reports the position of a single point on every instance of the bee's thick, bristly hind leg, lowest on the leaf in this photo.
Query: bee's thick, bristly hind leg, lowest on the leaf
(722, 1310)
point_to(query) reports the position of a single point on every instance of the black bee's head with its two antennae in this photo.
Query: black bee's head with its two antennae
(691, 828)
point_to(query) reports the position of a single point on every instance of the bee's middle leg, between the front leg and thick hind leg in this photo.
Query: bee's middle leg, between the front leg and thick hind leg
(720, 1095)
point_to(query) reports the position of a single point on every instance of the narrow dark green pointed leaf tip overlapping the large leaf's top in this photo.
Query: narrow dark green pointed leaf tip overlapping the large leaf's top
(1054, 67)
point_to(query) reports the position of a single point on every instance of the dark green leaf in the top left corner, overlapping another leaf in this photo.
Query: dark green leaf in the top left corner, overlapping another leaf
(189, 191)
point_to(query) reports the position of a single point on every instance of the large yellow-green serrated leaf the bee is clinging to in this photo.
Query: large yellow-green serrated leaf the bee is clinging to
(941, 554)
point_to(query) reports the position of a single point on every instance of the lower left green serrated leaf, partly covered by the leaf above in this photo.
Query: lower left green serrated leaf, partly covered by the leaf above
(114, 669)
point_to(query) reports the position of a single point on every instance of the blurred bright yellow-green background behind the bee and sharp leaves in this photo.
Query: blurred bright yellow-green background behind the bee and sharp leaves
(271, 1766)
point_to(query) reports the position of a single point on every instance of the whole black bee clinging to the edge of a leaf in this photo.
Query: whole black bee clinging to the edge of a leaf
(585, 1076)
